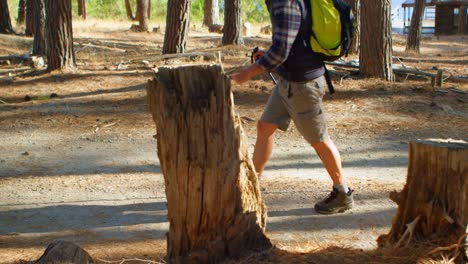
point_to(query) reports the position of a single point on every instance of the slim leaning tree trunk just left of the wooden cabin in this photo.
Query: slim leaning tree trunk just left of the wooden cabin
(414, 34)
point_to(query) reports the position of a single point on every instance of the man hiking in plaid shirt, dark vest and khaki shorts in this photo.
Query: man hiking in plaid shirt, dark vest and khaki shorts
(297, 96)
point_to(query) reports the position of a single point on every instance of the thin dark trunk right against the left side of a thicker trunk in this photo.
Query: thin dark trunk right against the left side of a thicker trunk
(39, 45)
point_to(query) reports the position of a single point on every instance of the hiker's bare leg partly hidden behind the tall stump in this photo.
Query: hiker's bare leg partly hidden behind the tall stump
(263, 145)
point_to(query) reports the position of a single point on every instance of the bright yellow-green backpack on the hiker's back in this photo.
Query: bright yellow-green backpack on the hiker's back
(332, 28)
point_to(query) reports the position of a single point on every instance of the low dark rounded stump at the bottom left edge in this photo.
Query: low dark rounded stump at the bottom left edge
(64, 252)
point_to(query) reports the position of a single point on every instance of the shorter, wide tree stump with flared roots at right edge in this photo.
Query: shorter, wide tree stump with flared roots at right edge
(433, 204)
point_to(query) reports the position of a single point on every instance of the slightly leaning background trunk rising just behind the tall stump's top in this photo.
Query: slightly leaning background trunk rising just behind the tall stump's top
(177, 26)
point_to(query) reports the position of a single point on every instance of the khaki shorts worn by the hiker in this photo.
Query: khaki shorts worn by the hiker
(301, 102)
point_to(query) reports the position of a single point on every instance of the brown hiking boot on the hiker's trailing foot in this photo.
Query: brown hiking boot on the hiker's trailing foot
(336, 202)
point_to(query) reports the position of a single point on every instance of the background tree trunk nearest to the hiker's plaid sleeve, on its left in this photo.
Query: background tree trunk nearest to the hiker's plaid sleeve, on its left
(232, 23)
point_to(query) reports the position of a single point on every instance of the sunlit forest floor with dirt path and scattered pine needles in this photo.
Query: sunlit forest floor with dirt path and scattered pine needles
(82, 166)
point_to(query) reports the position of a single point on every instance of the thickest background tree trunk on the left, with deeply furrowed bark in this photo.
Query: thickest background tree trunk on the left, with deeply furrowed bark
(60, 52)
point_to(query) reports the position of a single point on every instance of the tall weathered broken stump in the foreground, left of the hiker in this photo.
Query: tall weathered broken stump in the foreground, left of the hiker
(215, 208)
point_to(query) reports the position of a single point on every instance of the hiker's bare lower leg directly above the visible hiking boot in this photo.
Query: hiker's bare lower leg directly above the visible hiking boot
(331, 159)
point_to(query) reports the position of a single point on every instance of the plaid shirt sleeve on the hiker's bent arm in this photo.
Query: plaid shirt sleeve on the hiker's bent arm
(286, 22)
